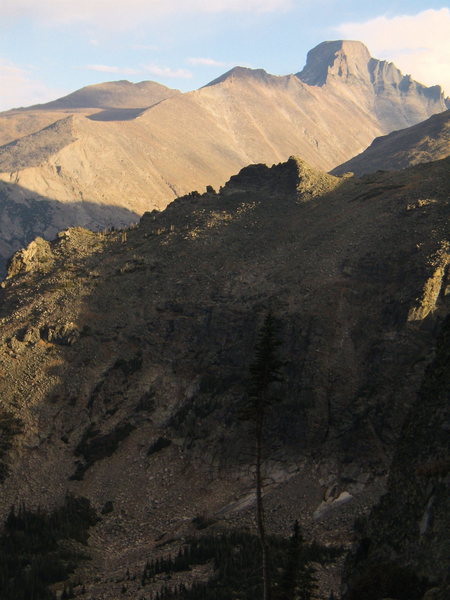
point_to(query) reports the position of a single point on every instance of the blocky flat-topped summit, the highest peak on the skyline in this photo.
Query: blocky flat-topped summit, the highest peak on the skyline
(339, 58)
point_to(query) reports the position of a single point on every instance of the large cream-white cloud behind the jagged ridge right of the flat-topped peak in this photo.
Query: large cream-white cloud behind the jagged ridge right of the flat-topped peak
(418, 44)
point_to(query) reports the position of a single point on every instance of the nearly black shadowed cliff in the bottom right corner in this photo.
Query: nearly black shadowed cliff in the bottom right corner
(404, 546)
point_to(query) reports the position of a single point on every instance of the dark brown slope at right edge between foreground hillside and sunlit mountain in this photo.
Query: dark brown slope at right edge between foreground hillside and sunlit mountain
(424, 142)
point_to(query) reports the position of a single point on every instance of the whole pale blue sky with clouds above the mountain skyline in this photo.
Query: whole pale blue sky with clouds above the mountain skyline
(49, 48)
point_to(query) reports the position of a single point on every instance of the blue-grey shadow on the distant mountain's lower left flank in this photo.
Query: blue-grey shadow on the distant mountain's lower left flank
(25, 215)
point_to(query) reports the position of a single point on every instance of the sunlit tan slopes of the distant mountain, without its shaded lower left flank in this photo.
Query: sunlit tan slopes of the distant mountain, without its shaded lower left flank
(142, 158)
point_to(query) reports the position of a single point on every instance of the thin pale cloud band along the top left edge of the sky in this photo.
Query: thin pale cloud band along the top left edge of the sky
(125, 13)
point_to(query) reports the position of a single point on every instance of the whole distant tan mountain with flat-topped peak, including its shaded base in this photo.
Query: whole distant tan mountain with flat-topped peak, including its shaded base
(105, 154)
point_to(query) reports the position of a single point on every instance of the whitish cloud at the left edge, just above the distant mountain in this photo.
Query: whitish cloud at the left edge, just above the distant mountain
(20, 89)
